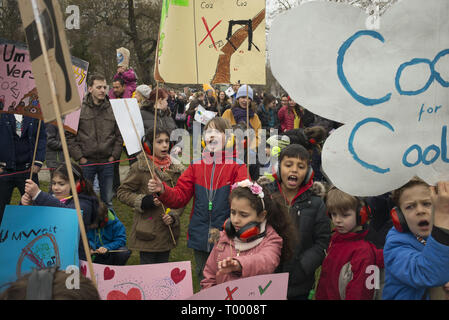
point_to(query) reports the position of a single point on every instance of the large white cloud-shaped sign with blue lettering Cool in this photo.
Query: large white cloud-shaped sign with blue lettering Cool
(389, 86)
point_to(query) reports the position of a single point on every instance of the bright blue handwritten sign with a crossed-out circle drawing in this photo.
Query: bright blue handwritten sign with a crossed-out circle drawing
(36, 237)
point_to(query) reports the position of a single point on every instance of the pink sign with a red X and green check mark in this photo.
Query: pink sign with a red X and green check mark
(263, 287)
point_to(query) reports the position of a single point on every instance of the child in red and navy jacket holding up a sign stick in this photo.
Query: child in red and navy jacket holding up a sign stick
(208, 180)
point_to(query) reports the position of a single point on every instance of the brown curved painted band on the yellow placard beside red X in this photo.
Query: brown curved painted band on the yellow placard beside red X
(223, 70)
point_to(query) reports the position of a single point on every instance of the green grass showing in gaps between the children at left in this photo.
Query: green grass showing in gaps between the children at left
(125, 214)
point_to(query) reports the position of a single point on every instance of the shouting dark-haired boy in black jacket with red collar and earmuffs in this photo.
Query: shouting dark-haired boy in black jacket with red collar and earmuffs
(292, 185)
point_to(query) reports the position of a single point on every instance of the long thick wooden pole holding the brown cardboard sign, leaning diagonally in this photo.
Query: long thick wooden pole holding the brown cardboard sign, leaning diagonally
(63, 141)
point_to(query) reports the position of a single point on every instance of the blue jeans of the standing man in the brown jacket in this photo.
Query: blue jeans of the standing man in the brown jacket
(105, 178)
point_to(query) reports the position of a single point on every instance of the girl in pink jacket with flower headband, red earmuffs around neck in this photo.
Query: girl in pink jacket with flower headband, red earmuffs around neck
(254, 239)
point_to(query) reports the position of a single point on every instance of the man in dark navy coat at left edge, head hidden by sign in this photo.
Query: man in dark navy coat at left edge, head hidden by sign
(17, 140)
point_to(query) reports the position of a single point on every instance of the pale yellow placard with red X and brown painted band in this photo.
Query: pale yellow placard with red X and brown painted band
(220, 41)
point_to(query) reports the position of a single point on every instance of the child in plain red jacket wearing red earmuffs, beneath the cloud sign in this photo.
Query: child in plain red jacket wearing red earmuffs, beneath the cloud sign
(350, 259)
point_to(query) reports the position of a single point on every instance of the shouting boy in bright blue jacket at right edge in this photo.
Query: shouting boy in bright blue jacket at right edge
(416, 254)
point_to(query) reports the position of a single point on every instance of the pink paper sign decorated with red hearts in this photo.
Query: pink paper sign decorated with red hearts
(162, 281)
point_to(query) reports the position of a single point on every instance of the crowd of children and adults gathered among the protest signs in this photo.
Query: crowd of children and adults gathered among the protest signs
(247, 219)
